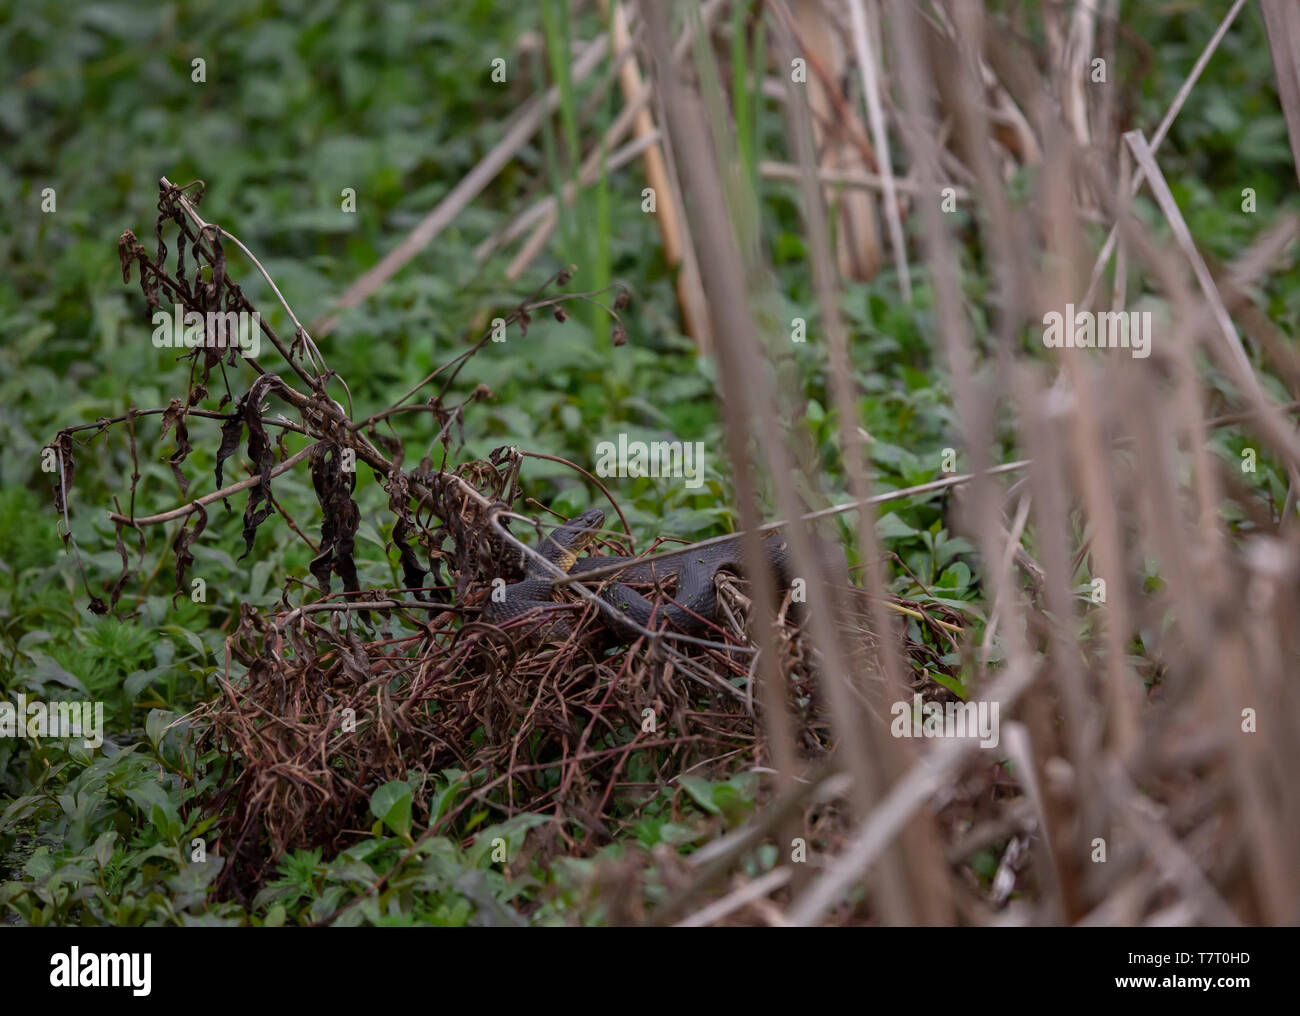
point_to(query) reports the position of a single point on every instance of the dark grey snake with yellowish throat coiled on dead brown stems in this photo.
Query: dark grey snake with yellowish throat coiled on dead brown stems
(695, 601)
